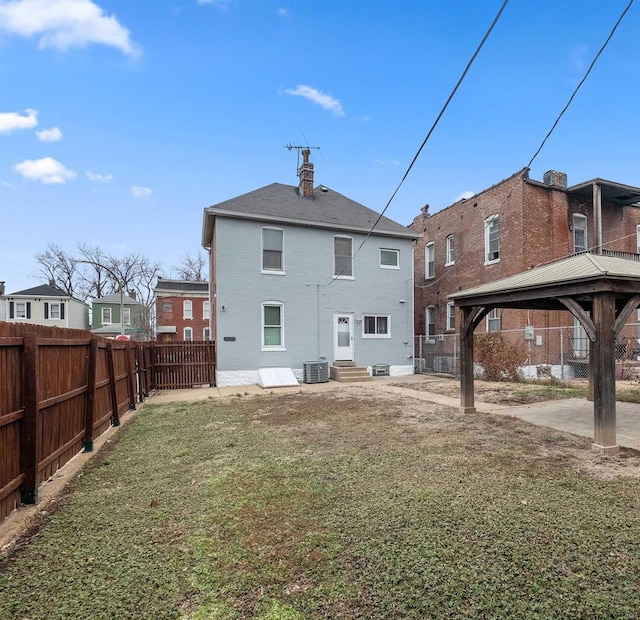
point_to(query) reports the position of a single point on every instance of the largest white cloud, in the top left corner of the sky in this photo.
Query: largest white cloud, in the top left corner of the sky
(62, 24)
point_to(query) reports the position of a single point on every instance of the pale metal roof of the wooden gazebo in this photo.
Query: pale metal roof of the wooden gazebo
(570, 272)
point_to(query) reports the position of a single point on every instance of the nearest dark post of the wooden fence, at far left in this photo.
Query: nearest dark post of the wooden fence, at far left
(30, 440)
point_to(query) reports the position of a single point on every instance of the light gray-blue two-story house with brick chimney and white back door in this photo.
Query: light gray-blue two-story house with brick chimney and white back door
(300, 274)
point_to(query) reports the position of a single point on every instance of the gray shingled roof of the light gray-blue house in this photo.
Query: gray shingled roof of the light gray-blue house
(278, 203)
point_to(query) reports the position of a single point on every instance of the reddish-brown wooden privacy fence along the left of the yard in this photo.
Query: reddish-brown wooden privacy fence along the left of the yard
(60, 389)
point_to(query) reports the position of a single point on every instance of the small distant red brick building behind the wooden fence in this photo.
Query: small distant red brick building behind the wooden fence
(182, 310)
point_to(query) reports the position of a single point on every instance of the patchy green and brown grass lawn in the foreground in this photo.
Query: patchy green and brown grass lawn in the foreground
(337, 504)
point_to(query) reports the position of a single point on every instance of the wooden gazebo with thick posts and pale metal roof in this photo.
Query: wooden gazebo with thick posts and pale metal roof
(600, 291)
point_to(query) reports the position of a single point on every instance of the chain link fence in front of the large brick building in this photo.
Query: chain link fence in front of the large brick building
(554, 352)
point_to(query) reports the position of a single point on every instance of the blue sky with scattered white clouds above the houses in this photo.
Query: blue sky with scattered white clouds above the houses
(121, 120)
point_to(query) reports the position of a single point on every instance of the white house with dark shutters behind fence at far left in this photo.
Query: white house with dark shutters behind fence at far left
(45, 305)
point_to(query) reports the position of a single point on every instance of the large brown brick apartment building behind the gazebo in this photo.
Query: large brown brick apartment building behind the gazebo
(513, 226)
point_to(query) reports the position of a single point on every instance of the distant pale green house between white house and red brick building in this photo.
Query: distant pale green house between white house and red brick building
(106, 316)
